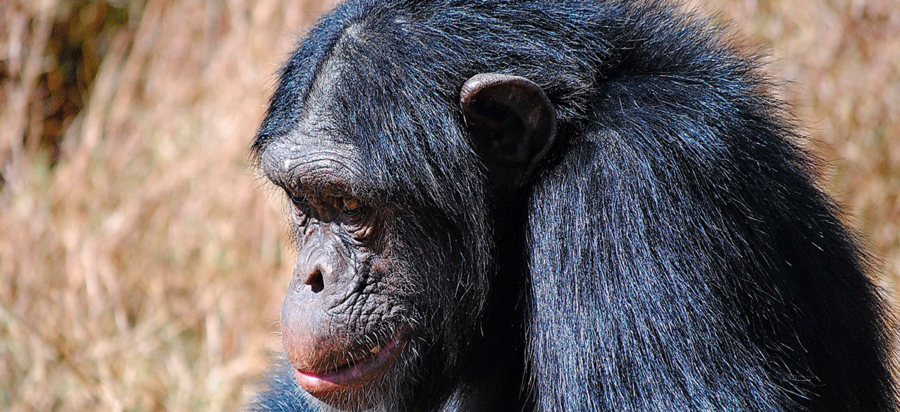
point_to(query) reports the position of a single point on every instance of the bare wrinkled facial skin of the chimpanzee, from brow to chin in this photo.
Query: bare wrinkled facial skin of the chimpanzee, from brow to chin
(341, 319)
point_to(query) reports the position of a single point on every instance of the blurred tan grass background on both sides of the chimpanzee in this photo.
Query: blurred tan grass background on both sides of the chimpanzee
(142, 259)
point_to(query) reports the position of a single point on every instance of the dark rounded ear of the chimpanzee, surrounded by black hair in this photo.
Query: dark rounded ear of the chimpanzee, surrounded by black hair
(512, 123)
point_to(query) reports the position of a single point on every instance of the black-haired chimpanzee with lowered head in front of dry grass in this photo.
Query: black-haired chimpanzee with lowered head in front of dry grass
(564, 205)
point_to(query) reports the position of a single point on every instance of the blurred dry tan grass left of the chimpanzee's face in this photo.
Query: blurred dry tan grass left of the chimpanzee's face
(141, 258)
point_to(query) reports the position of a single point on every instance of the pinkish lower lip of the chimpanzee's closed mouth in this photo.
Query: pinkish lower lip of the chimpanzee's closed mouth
(357, 374)
